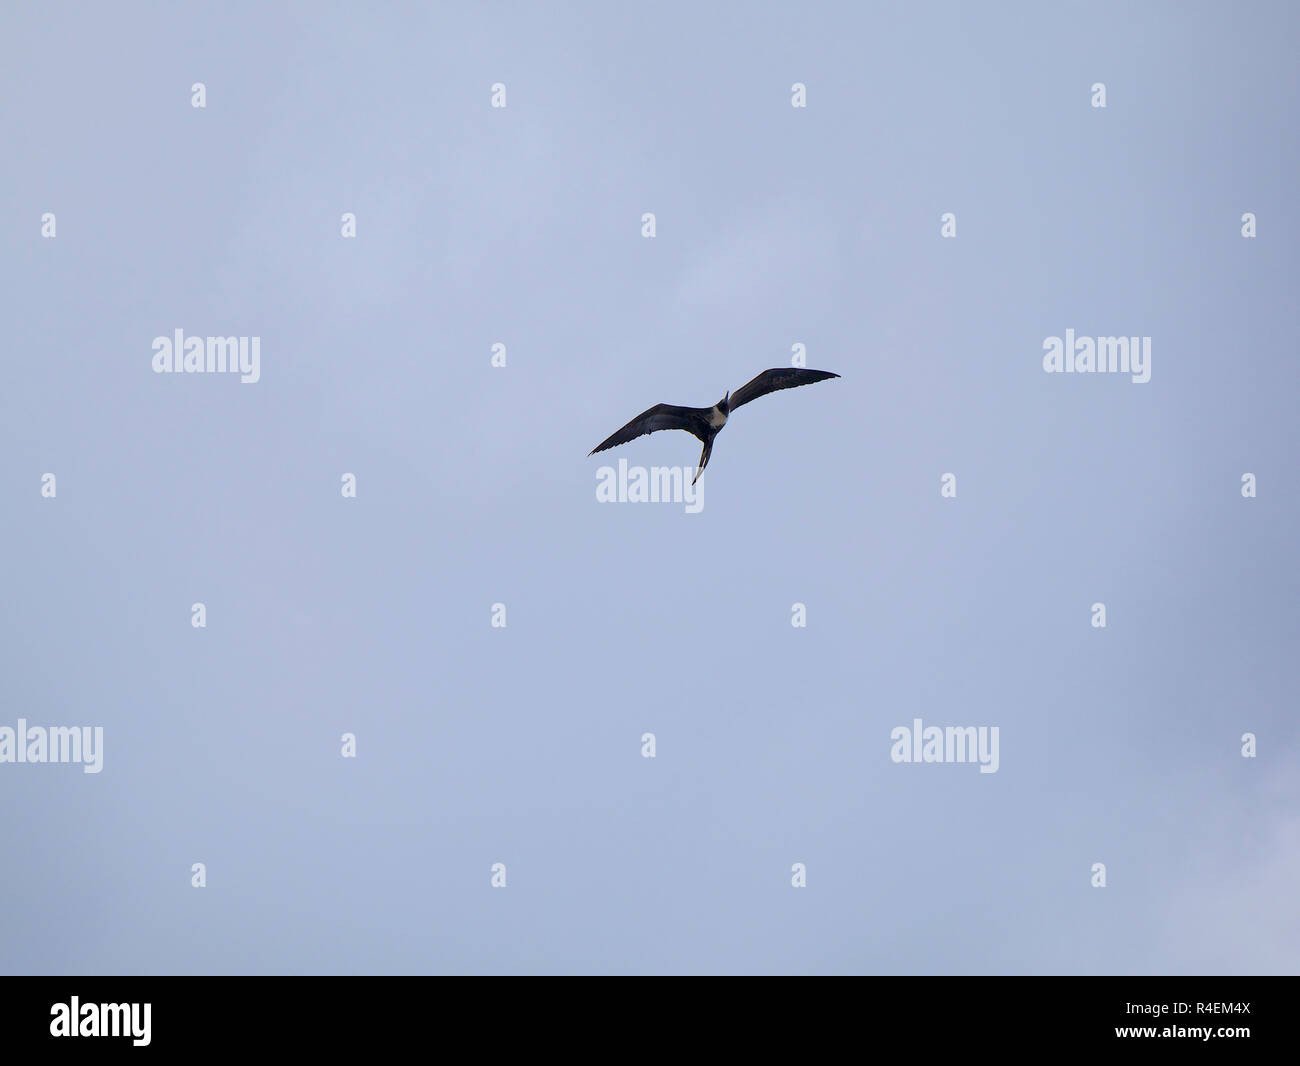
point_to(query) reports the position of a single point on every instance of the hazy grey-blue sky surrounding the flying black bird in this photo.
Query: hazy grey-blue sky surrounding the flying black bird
(775, 226)
